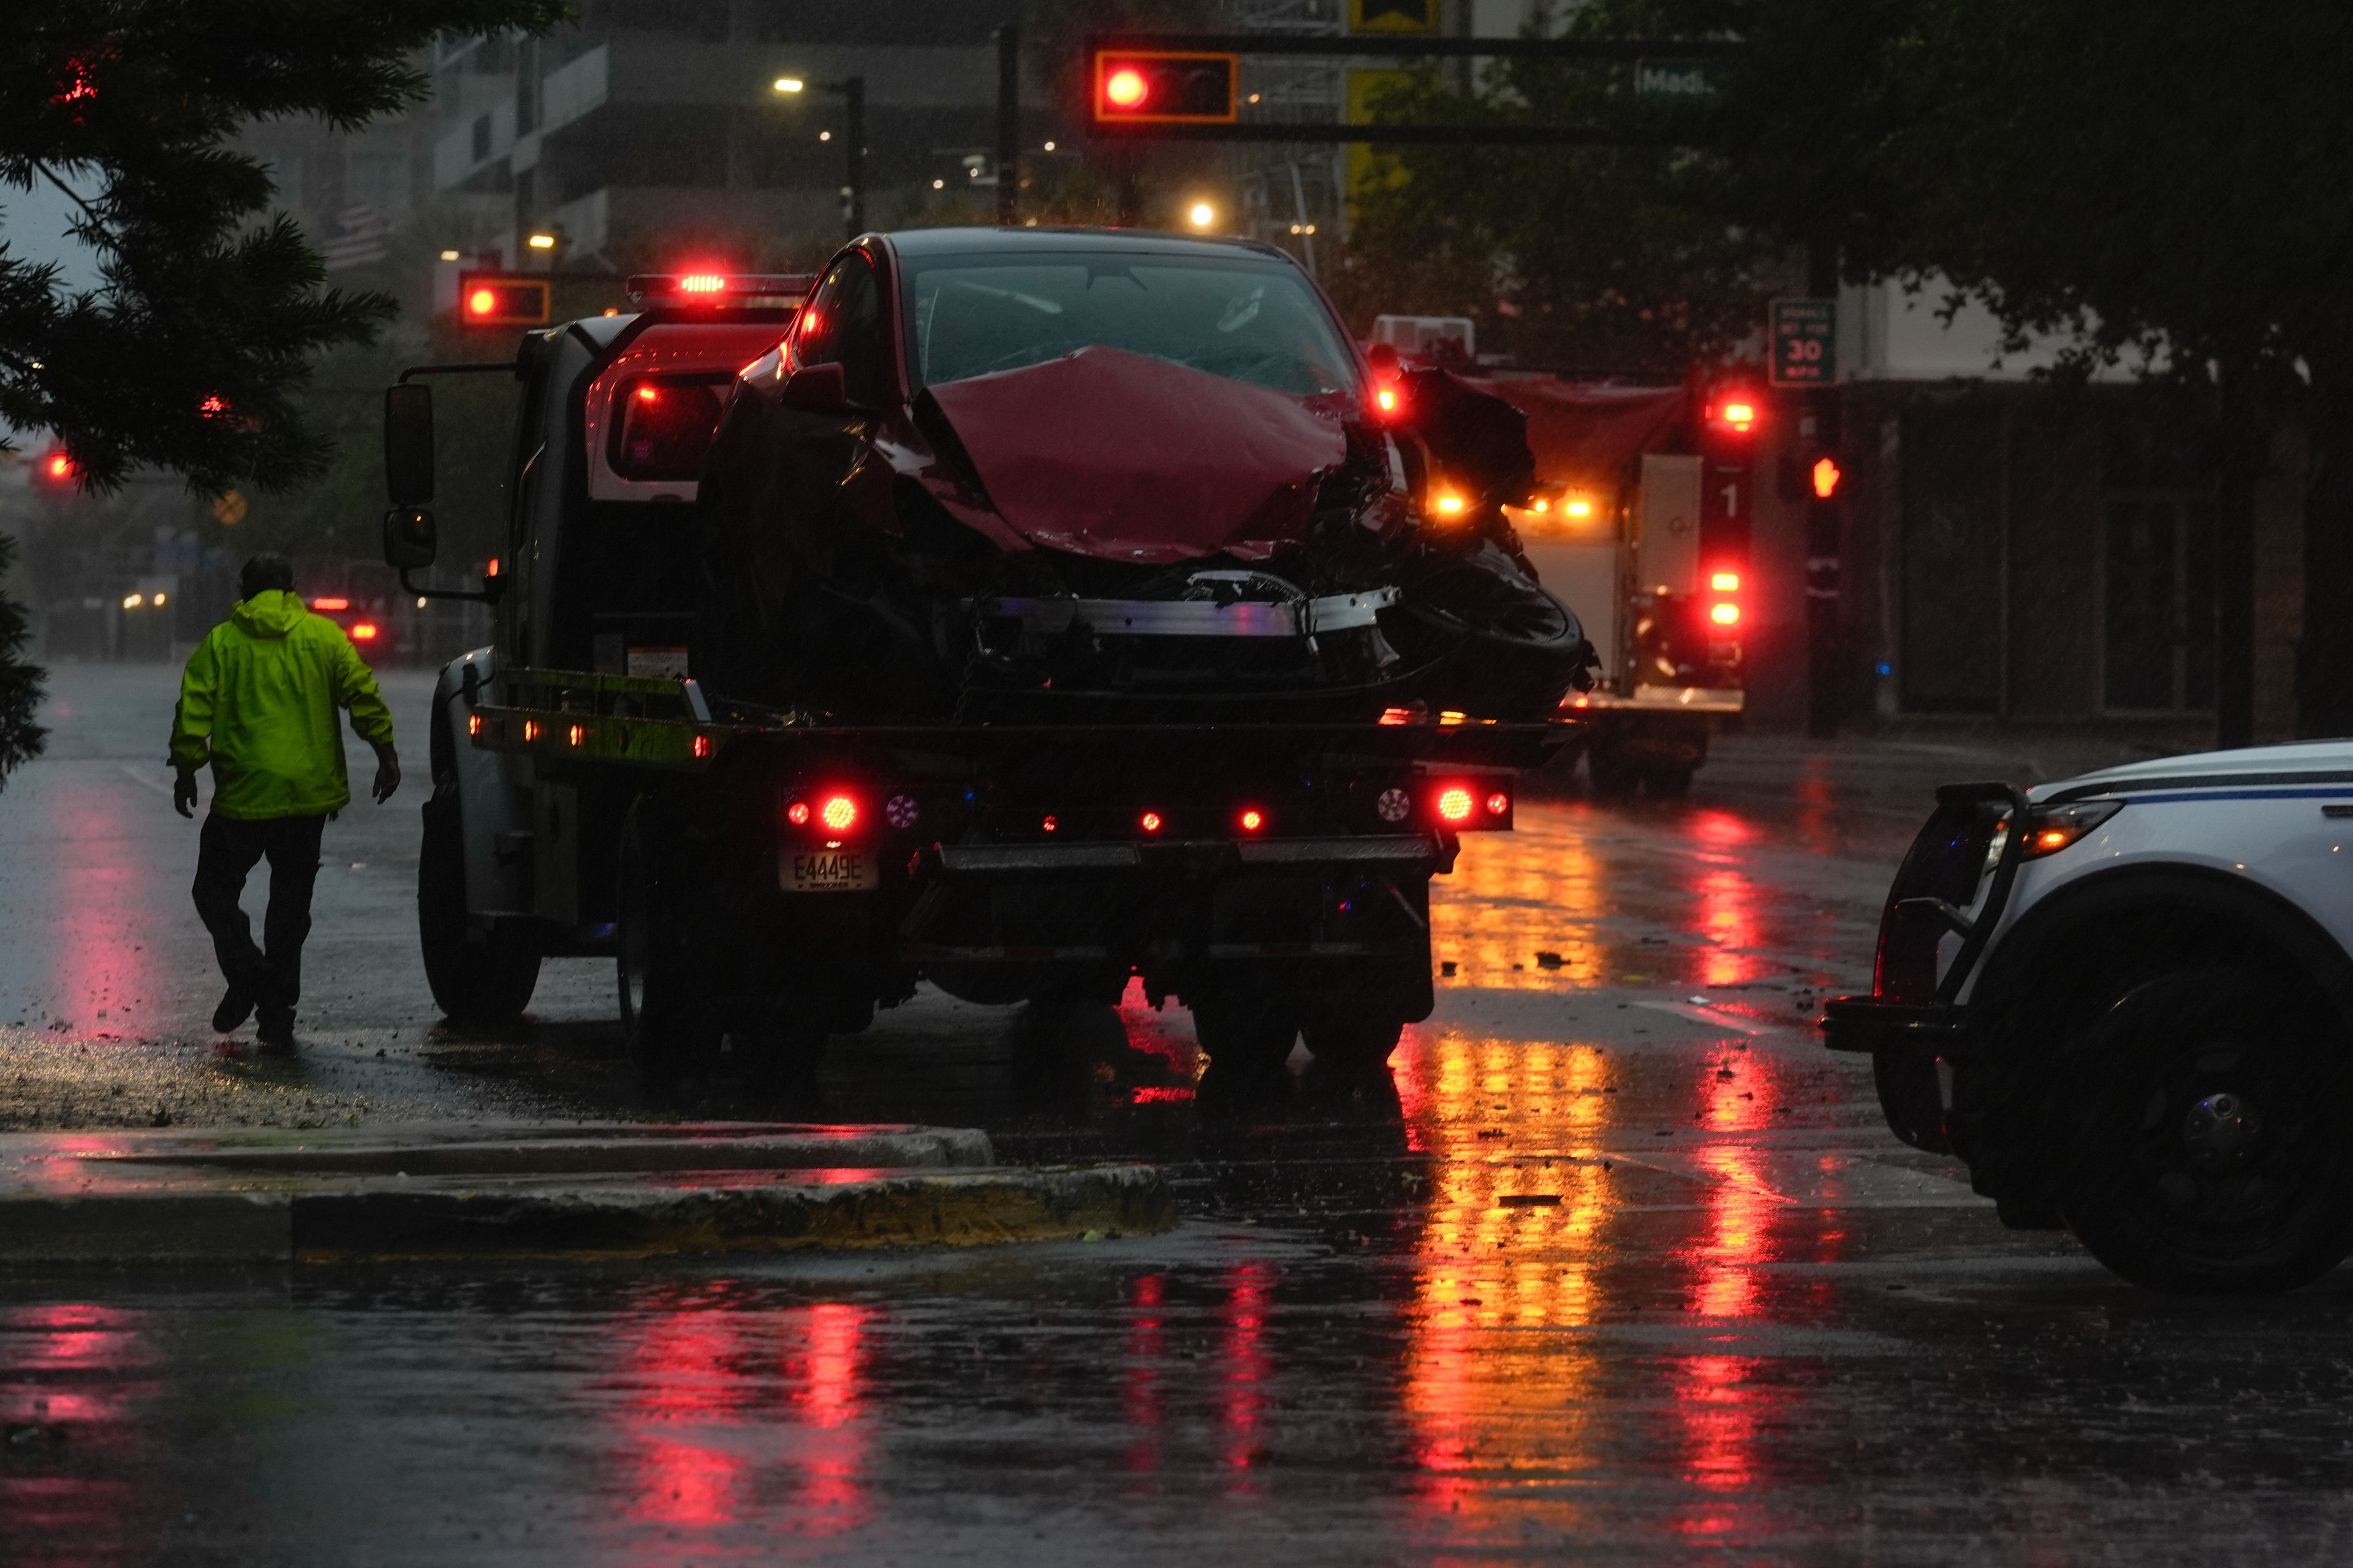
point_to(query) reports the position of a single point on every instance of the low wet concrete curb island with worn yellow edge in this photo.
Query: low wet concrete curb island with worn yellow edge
(542, 1192)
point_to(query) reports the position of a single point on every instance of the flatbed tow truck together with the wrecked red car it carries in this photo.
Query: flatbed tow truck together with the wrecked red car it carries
(756, 519)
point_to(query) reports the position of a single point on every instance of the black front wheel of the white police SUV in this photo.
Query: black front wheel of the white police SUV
(2204, 1136)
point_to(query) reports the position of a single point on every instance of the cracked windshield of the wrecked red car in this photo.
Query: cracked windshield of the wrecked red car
(1246, 321)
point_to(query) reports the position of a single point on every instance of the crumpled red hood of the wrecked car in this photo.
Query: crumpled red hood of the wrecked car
(1128, 458)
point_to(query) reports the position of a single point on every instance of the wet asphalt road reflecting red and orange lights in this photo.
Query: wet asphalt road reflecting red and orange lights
(1627, 1273)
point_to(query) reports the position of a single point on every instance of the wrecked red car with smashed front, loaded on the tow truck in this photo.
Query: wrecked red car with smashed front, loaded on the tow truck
(1069, 477)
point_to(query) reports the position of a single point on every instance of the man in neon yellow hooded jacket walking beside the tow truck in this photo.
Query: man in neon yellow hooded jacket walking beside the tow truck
(260, 703)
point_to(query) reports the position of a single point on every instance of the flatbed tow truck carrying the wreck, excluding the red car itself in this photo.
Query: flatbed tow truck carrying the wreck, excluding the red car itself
(771, 877)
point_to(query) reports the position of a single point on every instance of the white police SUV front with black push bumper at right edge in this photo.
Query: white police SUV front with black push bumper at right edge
(2128, 1004)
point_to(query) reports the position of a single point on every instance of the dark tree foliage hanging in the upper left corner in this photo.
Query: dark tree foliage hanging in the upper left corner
(196, 347)
